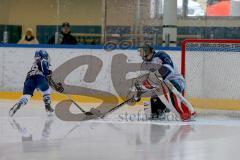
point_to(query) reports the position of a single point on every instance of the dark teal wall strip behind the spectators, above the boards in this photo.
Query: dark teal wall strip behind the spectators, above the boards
(91, 34)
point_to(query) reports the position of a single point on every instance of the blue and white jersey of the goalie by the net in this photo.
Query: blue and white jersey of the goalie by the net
(161, 59)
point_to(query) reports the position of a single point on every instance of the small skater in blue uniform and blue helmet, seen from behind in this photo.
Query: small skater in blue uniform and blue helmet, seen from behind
(38, 78)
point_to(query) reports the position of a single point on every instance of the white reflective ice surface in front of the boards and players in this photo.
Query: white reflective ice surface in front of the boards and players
(32, 135)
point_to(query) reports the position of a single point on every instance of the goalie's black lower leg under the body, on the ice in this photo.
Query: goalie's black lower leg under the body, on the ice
(157, 106)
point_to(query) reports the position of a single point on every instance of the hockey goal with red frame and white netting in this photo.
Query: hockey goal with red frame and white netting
(212, 72)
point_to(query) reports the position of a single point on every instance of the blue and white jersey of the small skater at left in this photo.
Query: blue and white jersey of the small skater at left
(39, 67)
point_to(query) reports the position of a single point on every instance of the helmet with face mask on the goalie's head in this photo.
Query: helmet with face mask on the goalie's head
(146, 52)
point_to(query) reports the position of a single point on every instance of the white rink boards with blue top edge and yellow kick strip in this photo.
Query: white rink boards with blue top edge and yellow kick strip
(94, 71)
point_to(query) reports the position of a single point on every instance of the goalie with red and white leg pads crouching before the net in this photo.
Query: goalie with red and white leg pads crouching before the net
(163, 70)
